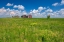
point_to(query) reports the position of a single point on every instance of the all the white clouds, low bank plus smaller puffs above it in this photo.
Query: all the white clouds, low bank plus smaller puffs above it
(41, 12)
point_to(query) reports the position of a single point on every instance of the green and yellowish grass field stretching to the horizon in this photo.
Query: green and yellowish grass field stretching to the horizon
(31, 30)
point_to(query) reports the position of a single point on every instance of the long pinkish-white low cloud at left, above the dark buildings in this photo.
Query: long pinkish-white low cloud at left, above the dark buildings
(10, 12)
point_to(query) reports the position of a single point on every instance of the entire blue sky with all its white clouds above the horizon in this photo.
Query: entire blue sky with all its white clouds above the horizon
(37, 8)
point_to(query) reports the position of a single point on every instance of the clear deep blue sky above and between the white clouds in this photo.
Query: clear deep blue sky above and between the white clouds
(31, 4)
